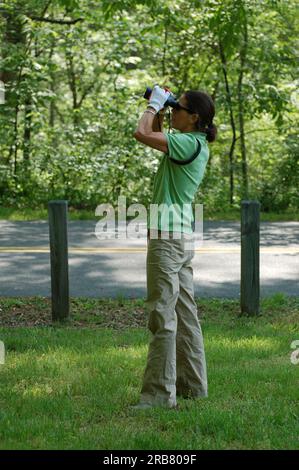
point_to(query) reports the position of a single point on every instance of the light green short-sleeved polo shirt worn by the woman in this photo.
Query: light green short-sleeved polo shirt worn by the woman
(175, 185)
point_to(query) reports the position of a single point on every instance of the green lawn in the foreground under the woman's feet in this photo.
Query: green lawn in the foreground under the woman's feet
(70, 386)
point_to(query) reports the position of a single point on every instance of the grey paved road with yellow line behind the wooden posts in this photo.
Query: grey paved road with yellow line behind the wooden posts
(103, 268)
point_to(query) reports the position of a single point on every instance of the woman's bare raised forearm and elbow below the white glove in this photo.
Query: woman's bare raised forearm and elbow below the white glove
(146, 134)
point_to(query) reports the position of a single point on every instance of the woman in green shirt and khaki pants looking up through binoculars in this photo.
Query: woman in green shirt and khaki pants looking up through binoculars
(176, 363)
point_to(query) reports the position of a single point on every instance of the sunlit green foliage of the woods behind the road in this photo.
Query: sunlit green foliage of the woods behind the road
(74, 92)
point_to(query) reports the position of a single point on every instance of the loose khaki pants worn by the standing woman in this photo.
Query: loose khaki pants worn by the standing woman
(176, 364)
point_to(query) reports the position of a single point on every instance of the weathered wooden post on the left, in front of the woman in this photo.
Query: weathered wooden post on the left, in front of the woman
(57, 211)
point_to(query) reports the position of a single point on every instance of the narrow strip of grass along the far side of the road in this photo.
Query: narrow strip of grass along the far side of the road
(11, 213)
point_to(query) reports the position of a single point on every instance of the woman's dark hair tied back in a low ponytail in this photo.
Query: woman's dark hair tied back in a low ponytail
(202, 104)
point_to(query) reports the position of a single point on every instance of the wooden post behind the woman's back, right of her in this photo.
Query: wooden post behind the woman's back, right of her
(250, 257)
